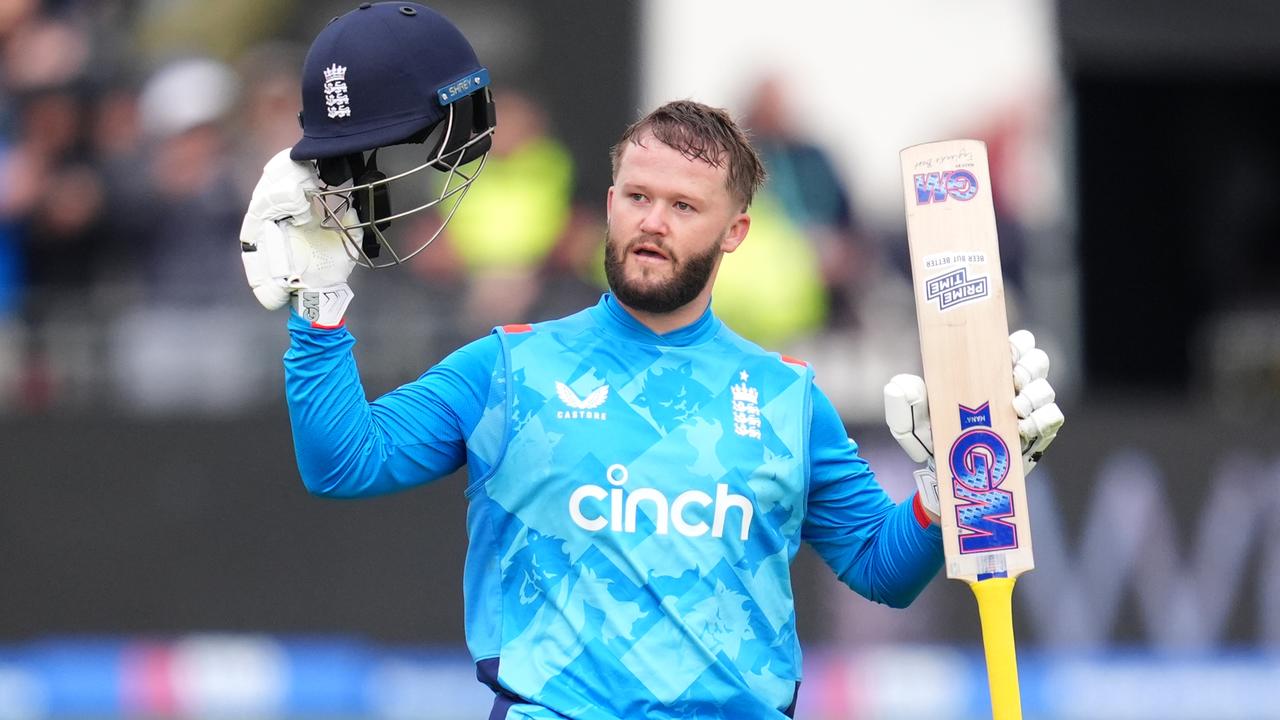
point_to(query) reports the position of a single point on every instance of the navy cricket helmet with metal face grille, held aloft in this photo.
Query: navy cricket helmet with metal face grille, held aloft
(391, 75)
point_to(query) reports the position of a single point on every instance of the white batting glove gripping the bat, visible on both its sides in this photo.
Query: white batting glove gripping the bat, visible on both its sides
(907, 412)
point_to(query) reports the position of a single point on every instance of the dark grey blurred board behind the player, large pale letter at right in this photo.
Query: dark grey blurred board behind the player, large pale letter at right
(214, 532)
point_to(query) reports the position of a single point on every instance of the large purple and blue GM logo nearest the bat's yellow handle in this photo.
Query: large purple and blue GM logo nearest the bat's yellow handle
(980, 463)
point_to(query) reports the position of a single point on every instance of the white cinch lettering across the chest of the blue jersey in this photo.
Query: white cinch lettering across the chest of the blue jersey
(595, 508)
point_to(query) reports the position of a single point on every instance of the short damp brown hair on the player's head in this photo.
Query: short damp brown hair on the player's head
(702, 133)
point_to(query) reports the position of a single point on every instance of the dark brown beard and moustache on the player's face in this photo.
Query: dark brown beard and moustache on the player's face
(657, 297)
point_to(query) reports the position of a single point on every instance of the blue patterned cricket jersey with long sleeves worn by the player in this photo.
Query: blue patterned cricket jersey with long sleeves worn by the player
(636, 505)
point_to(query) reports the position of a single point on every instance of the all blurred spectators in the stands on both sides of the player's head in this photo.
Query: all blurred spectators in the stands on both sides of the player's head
(127, 157)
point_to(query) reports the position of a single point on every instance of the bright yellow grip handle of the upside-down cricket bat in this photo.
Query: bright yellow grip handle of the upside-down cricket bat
(995, 609)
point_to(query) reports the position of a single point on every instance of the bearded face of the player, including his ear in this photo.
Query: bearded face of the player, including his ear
(670, 221)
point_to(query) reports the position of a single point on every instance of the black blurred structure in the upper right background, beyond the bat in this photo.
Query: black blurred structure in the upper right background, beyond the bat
(1177, 166)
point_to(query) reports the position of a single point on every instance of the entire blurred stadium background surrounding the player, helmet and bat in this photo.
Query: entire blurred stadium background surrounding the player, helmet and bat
(161, 559)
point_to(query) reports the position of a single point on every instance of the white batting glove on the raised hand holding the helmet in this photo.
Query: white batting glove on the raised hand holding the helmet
(287, 254)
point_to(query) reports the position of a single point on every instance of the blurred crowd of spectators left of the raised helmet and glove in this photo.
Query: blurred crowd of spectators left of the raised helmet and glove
(125, 166)
